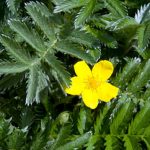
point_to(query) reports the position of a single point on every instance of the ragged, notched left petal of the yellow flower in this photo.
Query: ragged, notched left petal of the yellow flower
(76, 86)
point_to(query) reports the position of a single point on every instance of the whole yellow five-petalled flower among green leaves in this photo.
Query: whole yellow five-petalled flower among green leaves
(92, 84)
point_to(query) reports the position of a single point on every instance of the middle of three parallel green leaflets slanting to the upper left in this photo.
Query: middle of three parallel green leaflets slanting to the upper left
(31, 37)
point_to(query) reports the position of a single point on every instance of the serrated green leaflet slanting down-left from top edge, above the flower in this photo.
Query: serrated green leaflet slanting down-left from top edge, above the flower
(84, 13)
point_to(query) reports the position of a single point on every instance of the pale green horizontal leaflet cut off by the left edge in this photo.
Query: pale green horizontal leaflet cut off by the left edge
(11, 67)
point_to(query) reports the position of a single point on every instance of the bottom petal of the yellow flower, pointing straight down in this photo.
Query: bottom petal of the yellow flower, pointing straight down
(90, 98)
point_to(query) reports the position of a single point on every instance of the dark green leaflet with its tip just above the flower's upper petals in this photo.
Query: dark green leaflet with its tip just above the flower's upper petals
(69, 48)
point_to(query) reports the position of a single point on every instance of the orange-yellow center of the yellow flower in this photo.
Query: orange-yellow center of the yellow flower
(92, 83)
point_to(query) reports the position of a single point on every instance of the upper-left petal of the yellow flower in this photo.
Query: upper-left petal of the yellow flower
(82, 70)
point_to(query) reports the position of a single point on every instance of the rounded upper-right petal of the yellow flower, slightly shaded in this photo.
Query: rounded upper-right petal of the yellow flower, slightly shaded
(102, 70)
